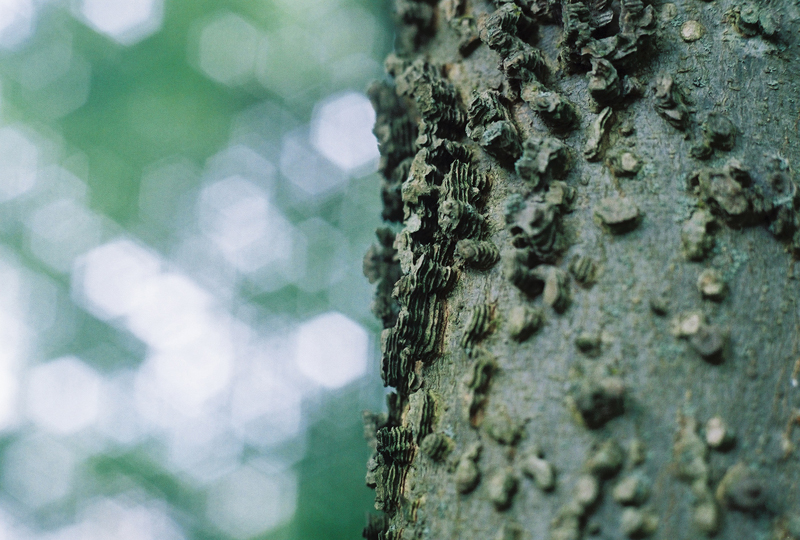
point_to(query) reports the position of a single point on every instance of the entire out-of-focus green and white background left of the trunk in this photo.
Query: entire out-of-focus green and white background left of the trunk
(187, 188)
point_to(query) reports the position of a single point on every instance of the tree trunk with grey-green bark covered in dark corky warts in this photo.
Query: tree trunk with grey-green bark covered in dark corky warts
(587, 278)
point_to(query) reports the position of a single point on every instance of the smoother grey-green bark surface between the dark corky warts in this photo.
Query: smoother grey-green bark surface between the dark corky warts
(642, 284)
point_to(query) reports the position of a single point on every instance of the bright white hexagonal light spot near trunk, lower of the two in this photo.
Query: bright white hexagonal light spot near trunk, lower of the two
(331, 349)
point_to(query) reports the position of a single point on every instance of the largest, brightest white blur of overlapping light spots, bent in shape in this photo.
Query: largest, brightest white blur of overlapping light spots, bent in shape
(190, 342)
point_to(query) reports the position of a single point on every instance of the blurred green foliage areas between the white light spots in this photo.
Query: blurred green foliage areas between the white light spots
(110, 114)
